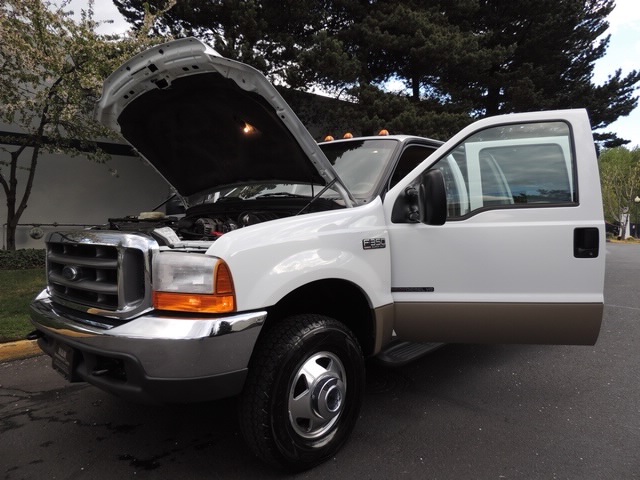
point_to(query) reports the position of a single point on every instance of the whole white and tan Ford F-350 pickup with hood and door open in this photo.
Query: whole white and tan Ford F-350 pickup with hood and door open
(295, 261)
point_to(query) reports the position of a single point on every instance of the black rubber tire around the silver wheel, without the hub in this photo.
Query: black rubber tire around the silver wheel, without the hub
(255, 405)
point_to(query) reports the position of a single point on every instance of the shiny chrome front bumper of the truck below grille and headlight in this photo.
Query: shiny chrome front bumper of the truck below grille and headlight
(152, 358)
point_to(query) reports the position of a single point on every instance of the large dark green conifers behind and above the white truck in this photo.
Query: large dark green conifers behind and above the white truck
(457, 60)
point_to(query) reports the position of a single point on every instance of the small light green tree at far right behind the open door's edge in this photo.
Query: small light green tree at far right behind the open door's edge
(620, 179)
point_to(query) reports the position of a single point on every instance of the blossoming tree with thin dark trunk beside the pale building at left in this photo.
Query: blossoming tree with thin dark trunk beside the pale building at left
(51, 72)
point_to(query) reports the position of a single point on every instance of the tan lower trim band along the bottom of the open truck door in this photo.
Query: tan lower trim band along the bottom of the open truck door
(531, 323)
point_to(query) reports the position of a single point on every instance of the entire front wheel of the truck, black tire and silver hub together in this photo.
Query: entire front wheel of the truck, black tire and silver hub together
(303, 392)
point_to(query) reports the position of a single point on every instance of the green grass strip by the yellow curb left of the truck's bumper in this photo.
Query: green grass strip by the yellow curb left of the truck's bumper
(17, 289)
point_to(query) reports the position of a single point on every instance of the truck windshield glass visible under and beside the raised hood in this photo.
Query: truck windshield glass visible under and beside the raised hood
(360, 164)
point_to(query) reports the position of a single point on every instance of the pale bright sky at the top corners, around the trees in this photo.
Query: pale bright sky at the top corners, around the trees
(623, 52)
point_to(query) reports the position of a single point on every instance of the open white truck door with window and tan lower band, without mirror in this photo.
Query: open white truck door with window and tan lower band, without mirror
(503, 268)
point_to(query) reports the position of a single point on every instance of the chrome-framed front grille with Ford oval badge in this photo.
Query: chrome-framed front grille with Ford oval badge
(100, 272)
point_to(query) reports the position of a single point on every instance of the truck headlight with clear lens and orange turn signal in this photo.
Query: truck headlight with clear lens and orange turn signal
(188, 282)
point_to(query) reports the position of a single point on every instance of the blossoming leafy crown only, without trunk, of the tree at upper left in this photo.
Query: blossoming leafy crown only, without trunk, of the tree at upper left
(52, 73)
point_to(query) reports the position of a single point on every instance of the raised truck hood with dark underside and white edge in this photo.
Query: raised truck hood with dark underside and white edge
(204, 121)
